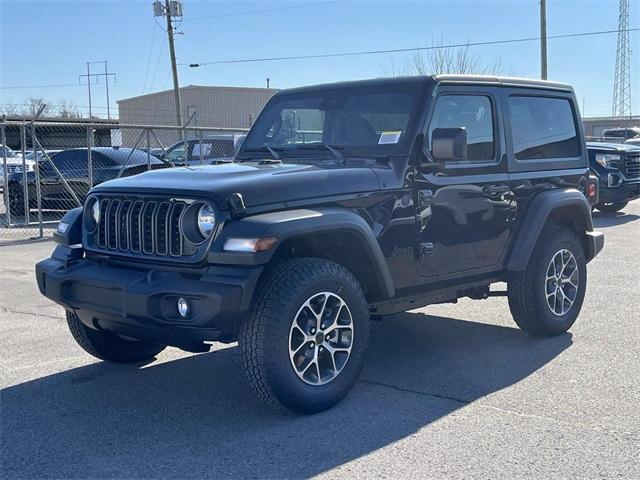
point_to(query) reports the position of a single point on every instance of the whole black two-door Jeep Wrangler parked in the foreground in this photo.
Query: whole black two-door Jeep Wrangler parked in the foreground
(345, 201)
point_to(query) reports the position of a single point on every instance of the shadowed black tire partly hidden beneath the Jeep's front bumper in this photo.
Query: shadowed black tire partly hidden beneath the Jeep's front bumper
(109, 346)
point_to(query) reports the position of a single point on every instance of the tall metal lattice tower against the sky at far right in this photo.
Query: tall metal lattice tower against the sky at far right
(622, 82)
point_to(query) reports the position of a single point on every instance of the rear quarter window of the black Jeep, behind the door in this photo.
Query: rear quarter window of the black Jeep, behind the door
(542, 128)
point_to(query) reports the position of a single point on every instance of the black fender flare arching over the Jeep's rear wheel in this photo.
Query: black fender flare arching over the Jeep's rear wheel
(540, 208)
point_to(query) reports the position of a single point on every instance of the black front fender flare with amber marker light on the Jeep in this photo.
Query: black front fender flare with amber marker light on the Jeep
(289, 224)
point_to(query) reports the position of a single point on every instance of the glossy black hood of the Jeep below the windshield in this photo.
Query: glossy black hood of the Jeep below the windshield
(258, 184)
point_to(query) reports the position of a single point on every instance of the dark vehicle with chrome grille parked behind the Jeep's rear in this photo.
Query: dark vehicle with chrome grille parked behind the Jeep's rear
(617, 166)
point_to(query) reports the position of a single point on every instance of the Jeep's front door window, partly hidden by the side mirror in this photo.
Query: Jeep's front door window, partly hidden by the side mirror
(475, 114)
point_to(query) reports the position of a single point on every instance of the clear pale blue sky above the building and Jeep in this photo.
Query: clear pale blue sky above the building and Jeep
(48, 43)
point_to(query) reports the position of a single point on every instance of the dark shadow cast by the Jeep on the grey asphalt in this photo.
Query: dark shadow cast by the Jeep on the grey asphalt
(196, 417)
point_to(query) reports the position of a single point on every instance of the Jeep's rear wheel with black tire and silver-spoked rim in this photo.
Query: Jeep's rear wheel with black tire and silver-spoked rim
(546, 298)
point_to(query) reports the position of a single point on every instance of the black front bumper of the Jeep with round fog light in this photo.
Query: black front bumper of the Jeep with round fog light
(141, 302)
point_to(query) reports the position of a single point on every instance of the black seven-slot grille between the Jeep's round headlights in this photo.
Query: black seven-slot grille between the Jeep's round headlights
(142, 226)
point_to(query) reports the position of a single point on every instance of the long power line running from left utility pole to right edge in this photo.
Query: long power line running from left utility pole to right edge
(404, 50)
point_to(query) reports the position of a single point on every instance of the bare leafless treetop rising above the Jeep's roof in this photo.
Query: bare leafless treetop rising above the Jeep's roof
(446, 60)
